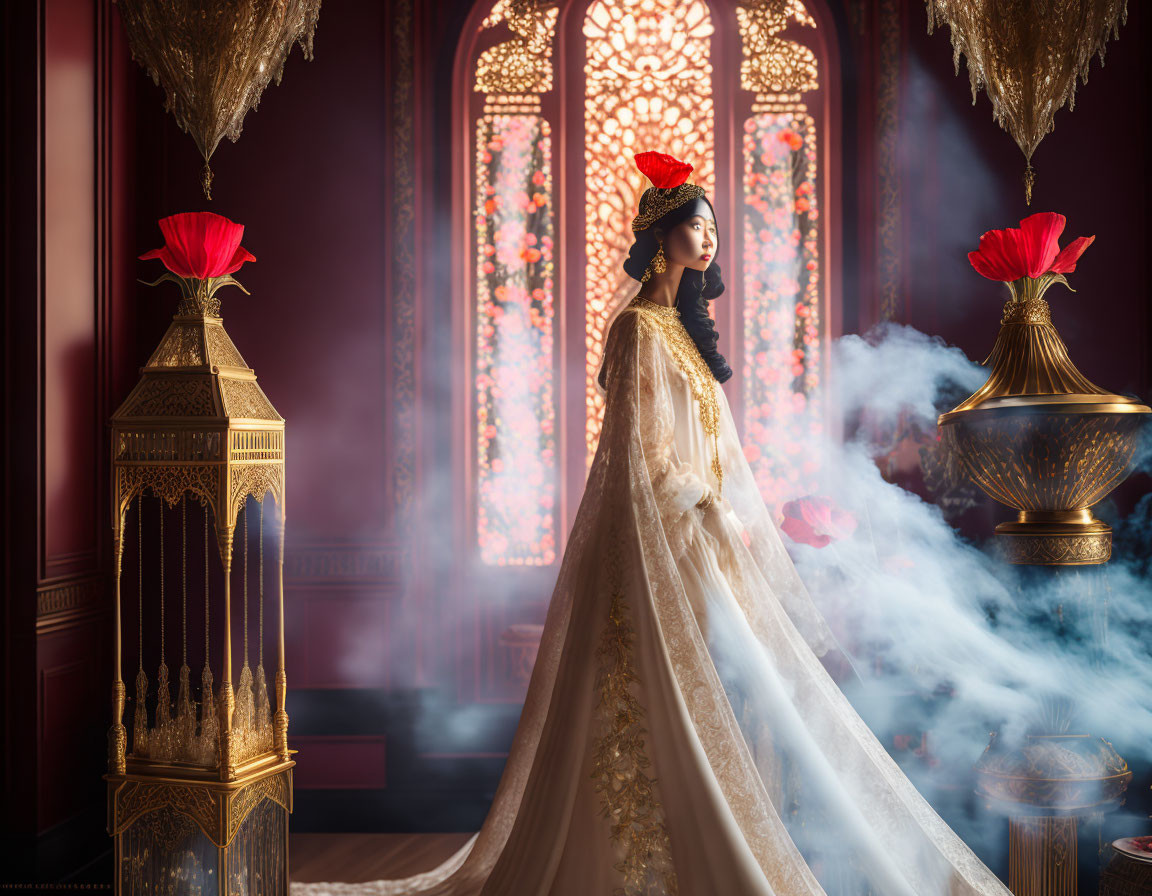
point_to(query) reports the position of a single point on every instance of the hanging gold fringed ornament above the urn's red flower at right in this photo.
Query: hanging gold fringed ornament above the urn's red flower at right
(1027, 55)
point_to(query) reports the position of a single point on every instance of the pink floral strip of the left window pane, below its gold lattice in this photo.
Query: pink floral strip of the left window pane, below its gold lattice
(518, 469)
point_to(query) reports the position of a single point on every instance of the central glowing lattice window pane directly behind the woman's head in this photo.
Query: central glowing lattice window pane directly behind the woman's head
(648, 86)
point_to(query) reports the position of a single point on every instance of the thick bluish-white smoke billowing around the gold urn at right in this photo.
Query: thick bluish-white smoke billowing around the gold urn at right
(979, 646)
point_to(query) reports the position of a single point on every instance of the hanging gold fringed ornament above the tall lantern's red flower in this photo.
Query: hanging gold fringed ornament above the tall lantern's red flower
(215, 60)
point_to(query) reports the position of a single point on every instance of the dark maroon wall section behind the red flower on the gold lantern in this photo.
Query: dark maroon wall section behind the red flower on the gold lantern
(307, 179)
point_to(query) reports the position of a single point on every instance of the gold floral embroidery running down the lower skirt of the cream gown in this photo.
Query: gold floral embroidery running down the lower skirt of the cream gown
(628, 796)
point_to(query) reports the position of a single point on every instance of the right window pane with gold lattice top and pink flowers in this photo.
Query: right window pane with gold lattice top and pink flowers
(784, 326)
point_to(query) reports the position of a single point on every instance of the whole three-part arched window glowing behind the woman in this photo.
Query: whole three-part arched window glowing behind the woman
(648, 74)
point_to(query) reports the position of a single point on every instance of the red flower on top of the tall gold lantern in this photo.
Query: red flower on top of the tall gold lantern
(202, 252)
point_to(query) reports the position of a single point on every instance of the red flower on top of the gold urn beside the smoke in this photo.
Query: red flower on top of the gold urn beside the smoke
(1029, 259)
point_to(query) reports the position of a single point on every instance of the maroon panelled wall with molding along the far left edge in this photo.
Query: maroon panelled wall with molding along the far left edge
(65, 303)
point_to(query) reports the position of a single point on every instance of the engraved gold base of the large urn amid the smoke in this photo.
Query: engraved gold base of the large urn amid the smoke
(1056, 538)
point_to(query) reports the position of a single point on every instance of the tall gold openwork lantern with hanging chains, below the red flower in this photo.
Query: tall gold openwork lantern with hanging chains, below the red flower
(200, 802)
